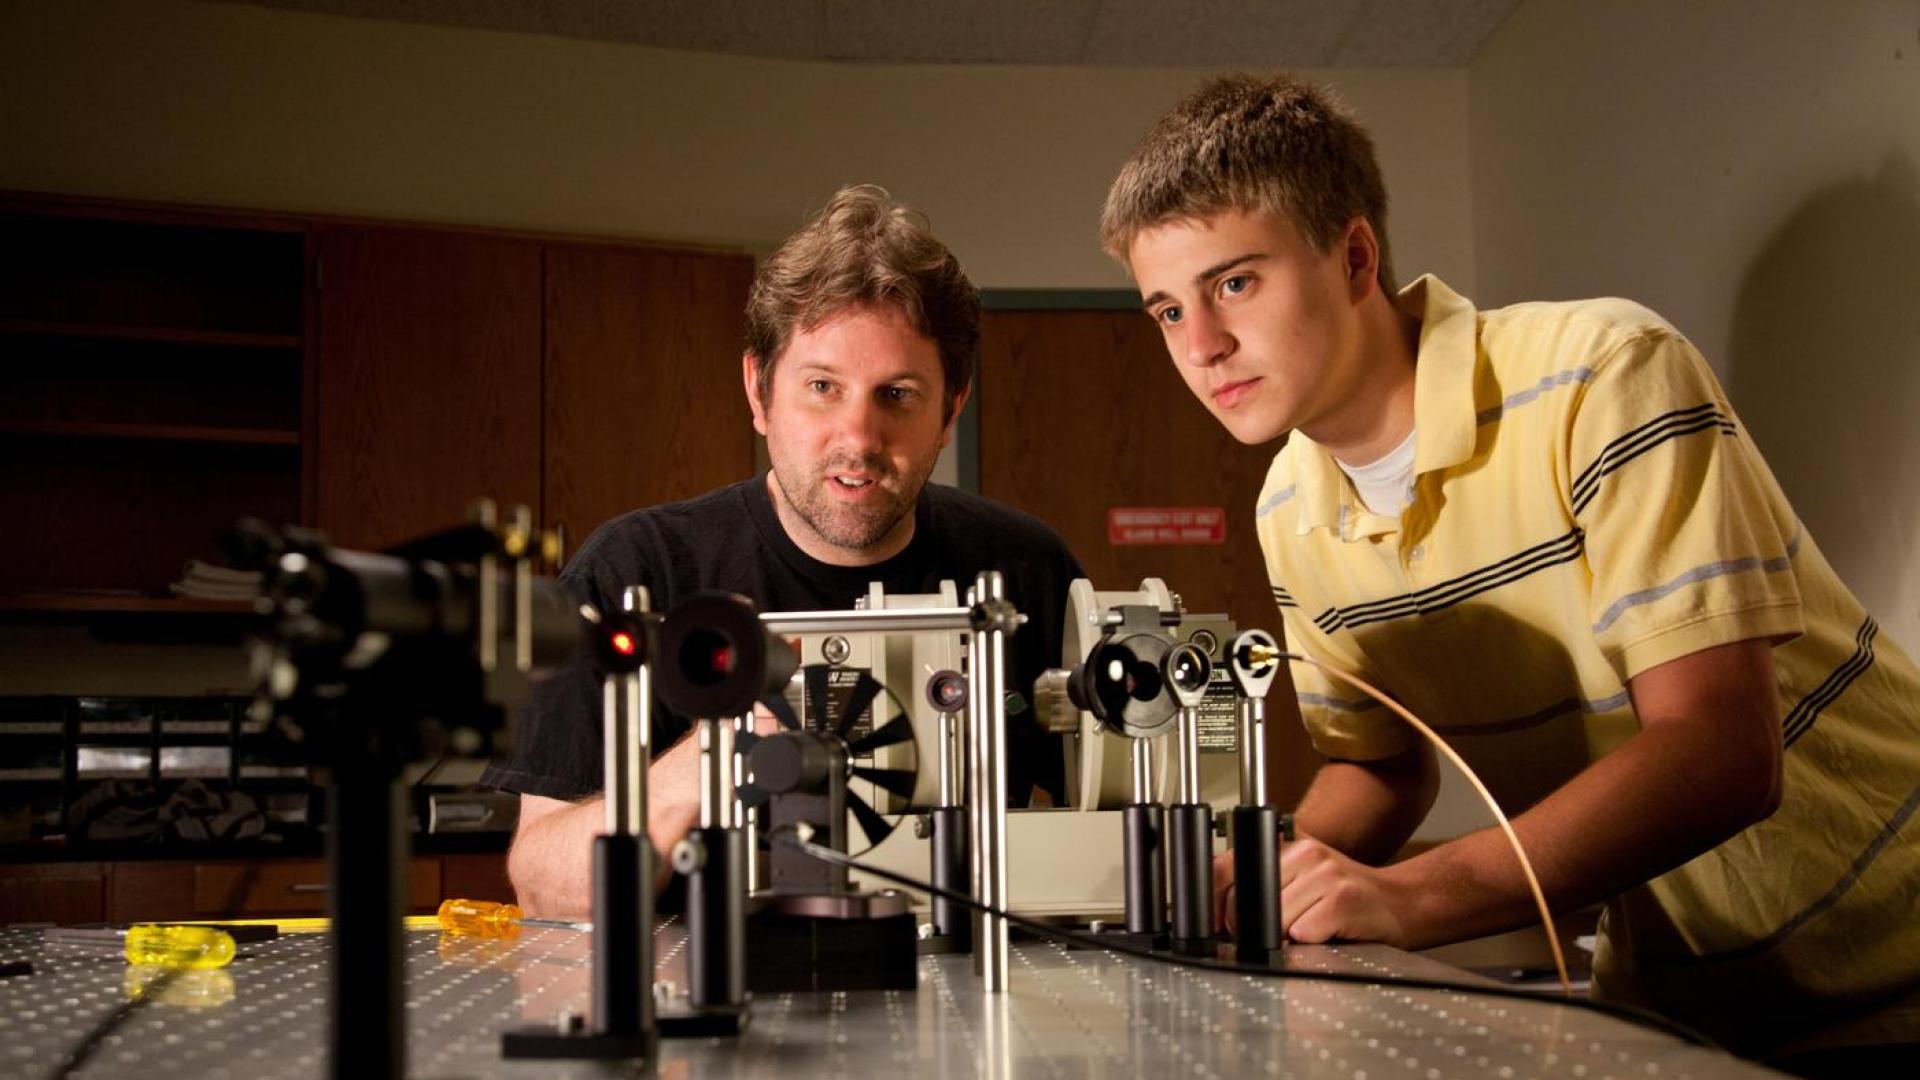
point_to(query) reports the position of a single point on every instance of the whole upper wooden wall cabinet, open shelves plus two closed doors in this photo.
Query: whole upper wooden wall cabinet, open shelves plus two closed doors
(168, 372)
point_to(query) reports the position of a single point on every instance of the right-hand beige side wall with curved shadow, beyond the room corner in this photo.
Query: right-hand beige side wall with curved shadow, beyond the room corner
(1752, 170)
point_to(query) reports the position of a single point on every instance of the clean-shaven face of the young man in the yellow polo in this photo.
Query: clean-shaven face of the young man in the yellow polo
(1262, 328)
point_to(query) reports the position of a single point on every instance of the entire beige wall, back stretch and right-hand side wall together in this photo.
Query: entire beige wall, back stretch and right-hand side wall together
(1750, 170)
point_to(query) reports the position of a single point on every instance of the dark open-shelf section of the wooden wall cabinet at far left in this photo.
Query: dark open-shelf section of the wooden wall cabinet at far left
(151, 391)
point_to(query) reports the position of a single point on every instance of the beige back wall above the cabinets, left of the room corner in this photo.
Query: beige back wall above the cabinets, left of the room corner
(264, 109)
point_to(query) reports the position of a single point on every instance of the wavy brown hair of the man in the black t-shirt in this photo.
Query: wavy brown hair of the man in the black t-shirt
(865, 249)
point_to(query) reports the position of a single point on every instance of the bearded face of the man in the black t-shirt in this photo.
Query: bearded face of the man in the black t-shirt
(853, 430)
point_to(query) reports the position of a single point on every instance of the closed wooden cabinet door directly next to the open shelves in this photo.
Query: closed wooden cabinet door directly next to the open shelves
(429, 380)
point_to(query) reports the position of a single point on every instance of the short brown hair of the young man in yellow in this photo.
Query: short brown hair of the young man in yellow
(1253, 143)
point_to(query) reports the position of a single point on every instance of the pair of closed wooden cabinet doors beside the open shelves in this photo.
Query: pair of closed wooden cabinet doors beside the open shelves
(577, 380)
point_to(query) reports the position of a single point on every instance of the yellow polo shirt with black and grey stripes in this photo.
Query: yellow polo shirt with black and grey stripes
(1589, 506)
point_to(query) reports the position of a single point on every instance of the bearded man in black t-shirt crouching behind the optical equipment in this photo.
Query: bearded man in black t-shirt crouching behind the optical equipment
(861, 337)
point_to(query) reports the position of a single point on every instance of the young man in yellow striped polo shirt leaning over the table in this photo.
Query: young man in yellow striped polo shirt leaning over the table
(1548, 535)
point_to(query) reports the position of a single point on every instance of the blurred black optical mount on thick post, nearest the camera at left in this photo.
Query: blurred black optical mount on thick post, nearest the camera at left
(366, 662)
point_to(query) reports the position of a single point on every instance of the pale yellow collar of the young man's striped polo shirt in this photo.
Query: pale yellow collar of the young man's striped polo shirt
(1443, 414)
